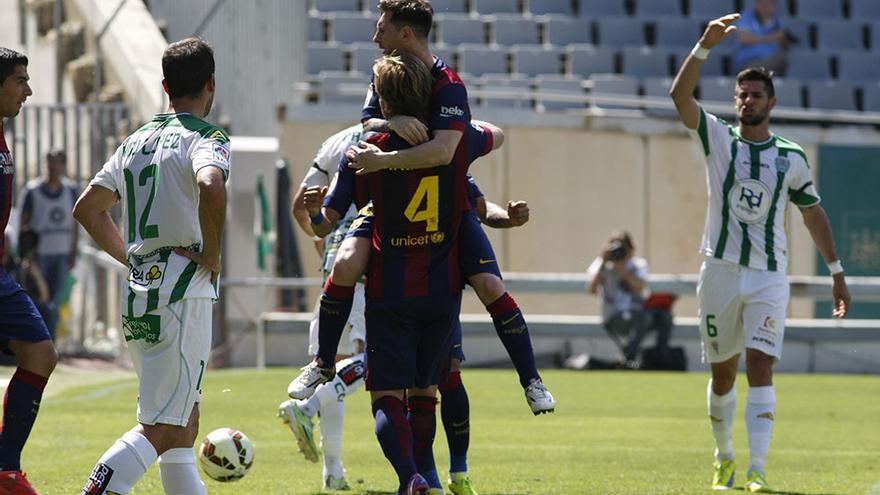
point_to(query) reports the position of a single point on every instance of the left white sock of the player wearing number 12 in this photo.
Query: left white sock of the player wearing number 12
(124, 463)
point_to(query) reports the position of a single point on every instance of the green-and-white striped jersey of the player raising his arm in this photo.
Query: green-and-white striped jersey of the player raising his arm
(750, 185)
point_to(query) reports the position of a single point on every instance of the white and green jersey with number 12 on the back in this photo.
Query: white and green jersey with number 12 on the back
(153, 172)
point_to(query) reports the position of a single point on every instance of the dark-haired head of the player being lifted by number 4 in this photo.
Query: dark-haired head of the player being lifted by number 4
(402, 23)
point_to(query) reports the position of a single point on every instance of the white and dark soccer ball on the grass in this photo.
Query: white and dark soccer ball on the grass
(226, 454)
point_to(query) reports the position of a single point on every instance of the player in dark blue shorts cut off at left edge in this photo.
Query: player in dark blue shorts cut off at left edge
(22, 330)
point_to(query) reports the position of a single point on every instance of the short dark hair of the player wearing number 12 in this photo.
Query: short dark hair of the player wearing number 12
(187, 65)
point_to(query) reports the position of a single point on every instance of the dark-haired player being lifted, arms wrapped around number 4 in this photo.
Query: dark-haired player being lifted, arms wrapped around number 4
(404, 25)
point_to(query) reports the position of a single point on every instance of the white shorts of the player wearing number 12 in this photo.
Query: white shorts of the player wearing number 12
(170, 348)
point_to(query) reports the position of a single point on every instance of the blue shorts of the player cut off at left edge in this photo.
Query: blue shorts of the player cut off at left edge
(19, 317)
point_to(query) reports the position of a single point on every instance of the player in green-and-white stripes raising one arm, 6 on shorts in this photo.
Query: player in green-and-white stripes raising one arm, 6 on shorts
(743, 290)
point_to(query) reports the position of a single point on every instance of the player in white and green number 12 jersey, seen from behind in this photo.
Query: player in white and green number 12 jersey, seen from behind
(170, 177)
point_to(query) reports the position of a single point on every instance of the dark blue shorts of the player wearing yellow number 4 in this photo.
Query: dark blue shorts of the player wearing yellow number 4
(409, 340)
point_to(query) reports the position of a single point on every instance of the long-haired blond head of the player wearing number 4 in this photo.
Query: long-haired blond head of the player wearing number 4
(403, 83)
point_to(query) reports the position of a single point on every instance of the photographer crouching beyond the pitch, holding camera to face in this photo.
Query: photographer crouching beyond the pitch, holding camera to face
(622, 277)
